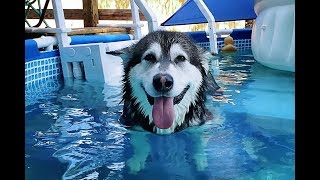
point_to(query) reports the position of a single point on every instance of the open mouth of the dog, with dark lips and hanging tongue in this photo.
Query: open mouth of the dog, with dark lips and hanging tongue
(162, 110)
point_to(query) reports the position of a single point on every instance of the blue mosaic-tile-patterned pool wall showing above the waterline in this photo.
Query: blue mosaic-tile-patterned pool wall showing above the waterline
(39, 70)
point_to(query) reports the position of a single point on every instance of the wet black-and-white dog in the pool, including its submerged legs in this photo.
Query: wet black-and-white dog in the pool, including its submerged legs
(166, 80)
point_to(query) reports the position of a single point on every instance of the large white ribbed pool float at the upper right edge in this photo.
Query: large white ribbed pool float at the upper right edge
(273, 34)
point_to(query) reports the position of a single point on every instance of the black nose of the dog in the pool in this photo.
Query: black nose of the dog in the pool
(162, 82)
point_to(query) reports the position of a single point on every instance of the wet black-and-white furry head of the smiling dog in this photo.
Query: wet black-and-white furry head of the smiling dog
(164, 82)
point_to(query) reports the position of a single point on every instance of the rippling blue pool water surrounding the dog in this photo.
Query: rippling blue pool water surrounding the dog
(72, 131)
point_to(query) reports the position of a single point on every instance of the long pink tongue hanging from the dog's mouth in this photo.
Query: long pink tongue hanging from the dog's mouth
(163, 112)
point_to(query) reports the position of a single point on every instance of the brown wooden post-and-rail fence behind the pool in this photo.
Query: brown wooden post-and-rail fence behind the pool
(91, 16)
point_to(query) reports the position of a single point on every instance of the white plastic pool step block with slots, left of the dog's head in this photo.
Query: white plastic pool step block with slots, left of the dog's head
(90, 61)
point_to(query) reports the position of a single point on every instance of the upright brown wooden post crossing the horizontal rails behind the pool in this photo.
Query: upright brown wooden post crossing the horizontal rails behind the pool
(90, 13)
